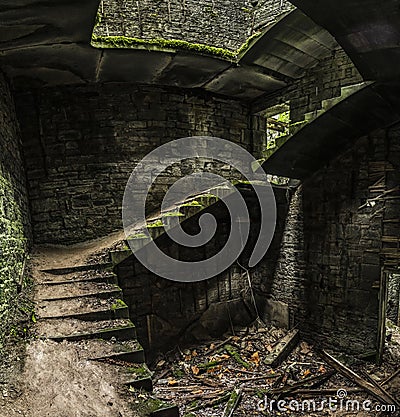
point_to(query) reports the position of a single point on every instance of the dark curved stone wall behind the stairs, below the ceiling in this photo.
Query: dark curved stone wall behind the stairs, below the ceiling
(82, 143)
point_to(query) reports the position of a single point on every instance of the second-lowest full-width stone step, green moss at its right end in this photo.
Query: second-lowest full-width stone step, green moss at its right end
(83, 308)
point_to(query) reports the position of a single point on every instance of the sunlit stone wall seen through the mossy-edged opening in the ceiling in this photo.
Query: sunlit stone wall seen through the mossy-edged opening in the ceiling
(223, 23)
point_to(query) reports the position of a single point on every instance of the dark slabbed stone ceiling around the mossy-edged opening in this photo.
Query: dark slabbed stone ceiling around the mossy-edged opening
(47, 43)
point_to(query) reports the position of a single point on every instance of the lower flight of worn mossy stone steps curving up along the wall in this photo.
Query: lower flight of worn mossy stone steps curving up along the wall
(83, 305)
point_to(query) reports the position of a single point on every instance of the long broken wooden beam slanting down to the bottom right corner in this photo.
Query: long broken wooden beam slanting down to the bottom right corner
(375, 391)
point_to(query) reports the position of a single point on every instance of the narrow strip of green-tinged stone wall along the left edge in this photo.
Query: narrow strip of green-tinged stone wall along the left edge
(14, 223)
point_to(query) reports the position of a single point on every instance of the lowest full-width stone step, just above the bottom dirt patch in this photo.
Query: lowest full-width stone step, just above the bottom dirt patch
(73, 330)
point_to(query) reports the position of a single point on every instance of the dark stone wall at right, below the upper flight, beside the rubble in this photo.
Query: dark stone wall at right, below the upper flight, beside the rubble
(342, 229)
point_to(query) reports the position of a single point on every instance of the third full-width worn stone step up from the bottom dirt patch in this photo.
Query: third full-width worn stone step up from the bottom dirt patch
(77, 289)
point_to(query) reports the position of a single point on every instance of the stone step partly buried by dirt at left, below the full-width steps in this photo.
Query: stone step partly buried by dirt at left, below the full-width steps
(104, 350)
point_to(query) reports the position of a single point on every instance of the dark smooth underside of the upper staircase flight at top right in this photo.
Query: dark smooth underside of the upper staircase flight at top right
(369, 34)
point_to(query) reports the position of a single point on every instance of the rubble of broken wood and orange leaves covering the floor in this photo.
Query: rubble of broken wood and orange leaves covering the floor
(233, 377)
